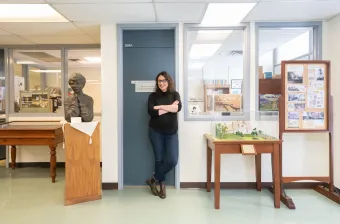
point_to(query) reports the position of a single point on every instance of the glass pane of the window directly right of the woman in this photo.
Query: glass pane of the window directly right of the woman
(215, 72)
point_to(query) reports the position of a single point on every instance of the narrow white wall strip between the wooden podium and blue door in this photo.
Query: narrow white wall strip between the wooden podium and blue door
(109, 79)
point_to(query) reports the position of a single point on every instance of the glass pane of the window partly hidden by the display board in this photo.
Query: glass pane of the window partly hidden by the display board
(276, 45)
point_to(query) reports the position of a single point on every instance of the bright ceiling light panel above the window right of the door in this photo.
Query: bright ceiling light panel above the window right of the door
(226, 14)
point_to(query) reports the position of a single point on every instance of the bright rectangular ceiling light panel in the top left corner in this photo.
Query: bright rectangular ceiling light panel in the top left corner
(29, 13)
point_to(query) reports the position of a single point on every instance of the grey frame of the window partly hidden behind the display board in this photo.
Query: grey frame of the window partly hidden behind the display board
(315, 49)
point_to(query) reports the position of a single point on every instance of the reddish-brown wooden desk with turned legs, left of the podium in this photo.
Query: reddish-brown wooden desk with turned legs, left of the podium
(32, 133)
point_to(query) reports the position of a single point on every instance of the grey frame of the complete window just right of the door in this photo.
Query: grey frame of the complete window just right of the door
(245, 115)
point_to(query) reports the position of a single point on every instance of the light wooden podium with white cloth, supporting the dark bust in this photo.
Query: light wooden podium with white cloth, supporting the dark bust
(82, 165)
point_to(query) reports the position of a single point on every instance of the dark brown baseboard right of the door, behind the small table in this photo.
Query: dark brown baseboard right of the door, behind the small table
(249, 185)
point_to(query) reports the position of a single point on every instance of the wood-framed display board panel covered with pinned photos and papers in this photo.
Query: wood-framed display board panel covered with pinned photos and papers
(306, 92)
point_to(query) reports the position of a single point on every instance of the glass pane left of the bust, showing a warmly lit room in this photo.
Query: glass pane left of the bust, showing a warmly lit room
(37, 81)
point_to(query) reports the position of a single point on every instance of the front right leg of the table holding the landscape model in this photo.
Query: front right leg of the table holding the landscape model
(276, 175)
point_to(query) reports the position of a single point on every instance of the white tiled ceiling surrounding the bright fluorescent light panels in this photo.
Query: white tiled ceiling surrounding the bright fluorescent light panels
(86, 15)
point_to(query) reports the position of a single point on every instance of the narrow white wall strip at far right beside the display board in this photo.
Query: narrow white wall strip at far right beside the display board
(331, 51)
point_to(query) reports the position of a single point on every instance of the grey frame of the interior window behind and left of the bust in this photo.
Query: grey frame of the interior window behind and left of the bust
(9, 74)
